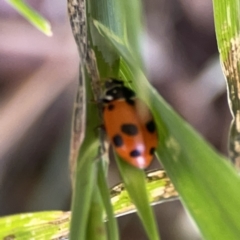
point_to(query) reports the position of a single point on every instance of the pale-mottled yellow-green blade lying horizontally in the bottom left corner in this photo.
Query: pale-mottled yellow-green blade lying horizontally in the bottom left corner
(39, 225)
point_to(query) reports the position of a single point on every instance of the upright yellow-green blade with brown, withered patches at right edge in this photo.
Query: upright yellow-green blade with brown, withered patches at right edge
(227, 25)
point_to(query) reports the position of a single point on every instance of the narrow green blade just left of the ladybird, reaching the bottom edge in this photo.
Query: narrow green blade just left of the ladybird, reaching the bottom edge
(85, 172)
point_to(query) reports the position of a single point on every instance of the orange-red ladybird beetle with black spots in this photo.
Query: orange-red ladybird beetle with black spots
(129, 124)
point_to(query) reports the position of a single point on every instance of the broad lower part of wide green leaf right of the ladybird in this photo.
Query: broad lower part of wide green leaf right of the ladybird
(204, 179)
